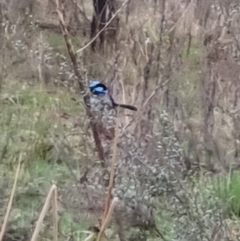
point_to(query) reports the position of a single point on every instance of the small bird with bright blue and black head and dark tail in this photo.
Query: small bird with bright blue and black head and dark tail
(100, 90)
